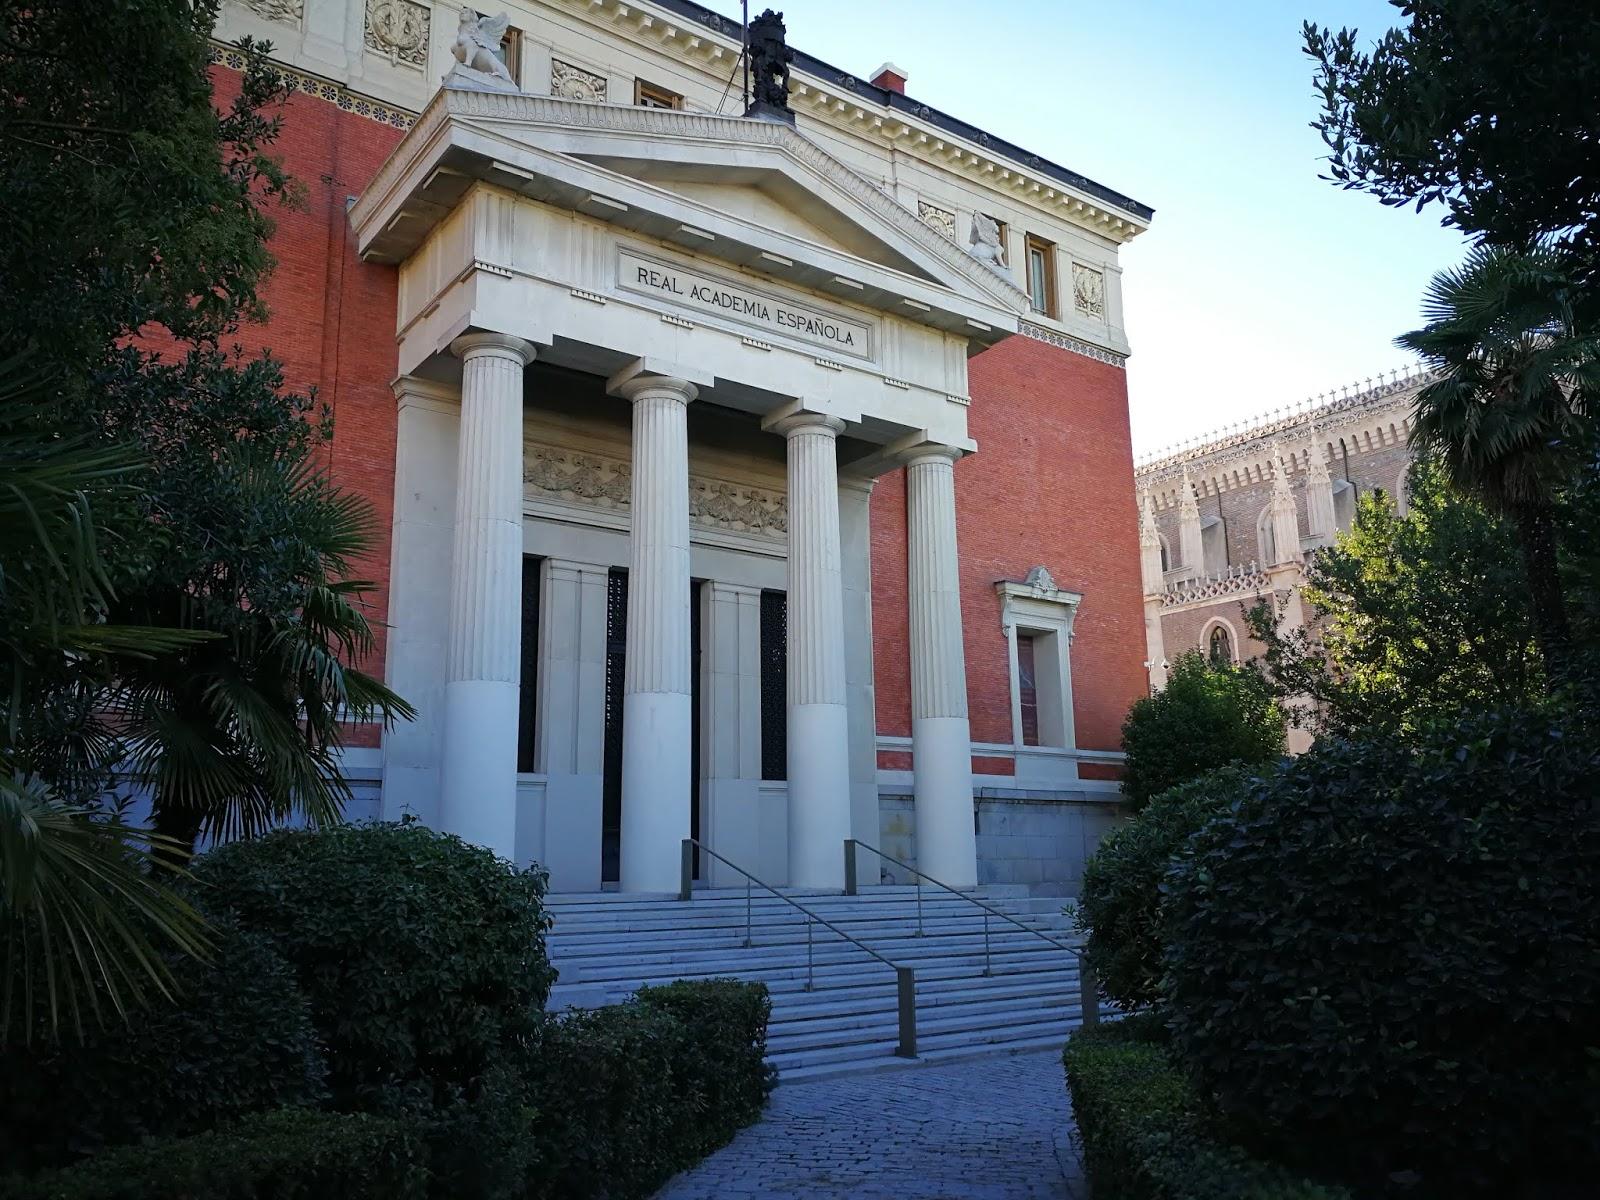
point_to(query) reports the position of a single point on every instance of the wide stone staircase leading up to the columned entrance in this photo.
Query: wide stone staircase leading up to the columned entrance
(607, 945)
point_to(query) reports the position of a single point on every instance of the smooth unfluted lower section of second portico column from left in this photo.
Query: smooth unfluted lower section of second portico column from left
(655, 790)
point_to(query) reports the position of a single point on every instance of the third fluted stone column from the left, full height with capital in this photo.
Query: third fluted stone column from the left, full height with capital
(818, 703)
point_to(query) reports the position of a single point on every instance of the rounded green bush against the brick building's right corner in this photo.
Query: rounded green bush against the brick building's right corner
(1206, 718)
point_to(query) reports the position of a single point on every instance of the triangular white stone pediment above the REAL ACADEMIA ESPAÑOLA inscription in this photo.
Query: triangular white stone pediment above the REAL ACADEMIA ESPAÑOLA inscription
(754, 194)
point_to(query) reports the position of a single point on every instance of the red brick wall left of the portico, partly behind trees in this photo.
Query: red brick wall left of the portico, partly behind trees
(332, 318)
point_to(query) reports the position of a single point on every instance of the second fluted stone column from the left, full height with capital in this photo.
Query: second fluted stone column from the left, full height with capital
(657, 695)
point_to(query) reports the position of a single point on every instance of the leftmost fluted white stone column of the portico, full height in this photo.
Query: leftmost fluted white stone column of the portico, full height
(478, 794)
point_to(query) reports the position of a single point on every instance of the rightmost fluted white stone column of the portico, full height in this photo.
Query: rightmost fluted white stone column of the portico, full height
(940, 732)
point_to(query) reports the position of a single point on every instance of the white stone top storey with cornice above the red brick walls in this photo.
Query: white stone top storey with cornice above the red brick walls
(911, 153)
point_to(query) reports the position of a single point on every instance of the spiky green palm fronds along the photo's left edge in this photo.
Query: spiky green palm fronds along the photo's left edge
(82, 921)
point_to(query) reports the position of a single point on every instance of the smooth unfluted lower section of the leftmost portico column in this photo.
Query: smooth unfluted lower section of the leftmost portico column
(478, 791)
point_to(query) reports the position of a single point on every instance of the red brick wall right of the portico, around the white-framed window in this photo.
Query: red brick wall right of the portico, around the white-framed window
(1050, 486)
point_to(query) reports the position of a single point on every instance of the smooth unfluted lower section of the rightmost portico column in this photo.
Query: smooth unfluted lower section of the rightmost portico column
(943, 794)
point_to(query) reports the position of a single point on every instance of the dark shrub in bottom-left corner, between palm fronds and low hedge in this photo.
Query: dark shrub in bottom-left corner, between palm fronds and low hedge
(239, 1041)
